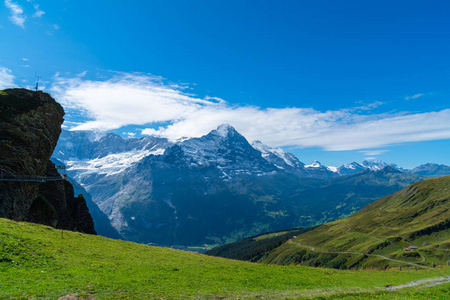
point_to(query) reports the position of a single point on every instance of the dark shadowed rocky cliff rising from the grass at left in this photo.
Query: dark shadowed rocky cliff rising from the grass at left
(30, 124)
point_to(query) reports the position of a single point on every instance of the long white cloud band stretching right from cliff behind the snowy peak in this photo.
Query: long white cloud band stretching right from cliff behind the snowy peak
(141, 99)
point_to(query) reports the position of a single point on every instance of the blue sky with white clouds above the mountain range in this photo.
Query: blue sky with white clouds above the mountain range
(336, 81)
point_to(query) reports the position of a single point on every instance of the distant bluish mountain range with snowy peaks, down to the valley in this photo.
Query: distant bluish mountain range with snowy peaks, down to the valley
(219, 187)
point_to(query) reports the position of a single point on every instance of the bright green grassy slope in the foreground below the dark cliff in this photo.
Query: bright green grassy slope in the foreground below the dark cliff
(37, 263)
